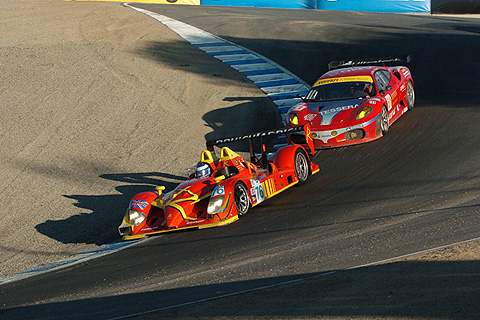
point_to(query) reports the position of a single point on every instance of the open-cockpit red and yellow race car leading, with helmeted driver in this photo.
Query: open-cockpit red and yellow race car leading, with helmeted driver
(221, 189)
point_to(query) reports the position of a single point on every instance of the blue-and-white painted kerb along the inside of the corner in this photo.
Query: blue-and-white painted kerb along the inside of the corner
(277, 82)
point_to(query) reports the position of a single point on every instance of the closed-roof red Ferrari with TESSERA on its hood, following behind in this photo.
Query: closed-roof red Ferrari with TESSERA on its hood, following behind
(355, 102)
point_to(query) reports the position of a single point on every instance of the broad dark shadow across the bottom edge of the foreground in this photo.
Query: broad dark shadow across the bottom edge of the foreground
(402, 289)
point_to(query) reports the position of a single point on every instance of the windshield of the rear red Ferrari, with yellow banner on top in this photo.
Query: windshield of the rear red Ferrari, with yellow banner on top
(325, 90)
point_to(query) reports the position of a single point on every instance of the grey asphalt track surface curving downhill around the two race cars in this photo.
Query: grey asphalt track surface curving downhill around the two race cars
(416, 188)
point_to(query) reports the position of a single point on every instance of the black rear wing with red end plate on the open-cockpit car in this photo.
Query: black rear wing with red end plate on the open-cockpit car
(262, 135)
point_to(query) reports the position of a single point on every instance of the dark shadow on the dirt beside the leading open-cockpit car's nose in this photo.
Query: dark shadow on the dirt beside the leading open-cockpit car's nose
(106, 211)
